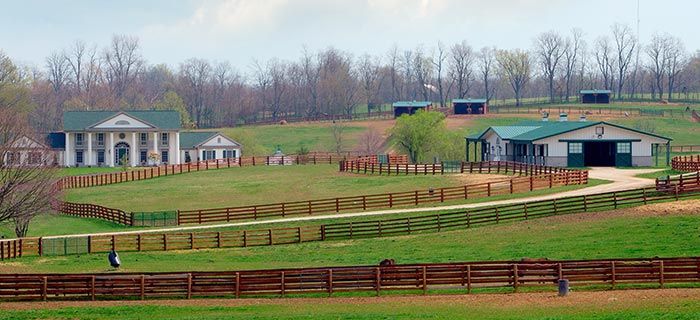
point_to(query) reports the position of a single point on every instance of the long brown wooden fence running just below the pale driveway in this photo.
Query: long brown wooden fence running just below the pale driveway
(452, 220)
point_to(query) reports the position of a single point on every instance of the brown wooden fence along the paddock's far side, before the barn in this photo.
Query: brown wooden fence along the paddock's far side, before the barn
(505, 167)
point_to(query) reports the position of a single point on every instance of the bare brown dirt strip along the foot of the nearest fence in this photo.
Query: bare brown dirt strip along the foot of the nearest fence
(514, 300)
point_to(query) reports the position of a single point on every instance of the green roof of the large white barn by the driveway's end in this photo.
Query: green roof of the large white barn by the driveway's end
(537, 130)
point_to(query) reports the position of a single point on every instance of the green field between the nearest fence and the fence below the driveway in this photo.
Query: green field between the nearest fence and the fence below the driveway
(666, 229)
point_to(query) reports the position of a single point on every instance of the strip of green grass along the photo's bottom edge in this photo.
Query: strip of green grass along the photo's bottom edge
(653, 307)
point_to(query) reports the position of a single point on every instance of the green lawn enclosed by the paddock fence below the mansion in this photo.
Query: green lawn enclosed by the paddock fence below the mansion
(249, 185)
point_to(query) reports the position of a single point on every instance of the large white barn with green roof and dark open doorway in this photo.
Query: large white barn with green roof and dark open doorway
(566, 143)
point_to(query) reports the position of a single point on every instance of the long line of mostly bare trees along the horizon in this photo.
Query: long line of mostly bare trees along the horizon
(82, 76)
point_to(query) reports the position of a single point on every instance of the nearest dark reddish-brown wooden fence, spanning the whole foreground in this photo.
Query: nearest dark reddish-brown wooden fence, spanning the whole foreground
(418, 278)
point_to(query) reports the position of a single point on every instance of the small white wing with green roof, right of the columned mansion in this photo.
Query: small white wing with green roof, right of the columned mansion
(200, 146)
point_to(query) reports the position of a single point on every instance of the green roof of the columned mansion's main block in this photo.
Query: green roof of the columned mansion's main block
(81, 120)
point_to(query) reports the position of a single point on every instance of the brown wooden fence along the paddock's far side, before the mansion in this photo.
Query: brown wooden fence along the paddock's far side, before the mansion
(84, 181)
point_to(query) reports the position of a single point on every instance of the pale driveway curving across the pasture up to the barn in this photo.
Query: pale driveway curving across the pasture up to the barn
(623, 179)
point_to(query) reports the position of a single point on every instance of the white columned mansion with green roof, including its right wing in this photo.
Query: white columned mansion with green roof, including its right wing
(136, 138)
